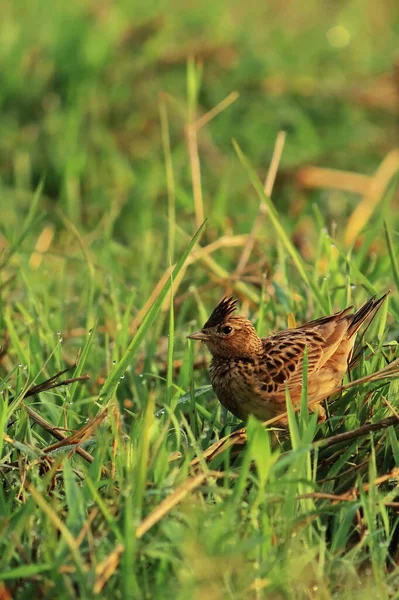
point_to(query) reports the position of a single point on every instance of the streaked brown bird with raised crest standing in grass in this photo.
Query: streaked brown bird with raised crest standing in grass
(249, 374)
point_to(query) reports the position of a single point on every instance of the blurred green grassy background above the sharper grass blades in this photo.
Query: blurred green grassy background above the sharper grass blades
(80, 88)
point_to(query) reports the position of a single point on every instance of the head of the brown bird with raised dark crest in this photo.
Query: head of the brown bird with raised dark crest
(226, 334)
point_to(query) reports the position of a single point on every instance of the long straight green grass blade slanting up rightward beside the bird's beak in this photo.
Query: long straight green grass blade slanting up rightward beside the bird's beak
(119, 369)
